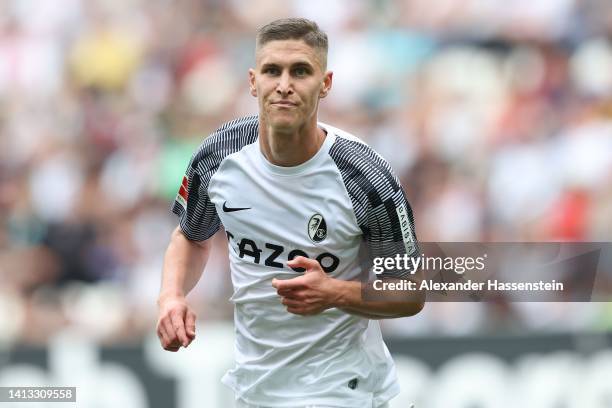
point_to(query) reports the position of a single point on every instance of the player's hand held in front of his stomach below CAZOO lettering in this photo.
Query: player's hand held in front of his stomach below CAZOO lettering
(308, 294)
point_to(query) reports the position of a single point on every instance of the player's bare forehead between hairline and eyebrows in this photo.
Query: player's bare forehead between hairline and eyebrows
(287, 52)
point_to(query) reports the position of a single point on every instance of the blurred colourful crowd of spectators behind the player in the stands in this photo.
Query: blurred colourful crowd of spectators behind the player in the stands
(497, 116)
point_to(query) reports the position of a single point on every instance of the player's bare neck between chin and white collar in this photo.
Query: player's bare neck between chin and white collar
(290, 148)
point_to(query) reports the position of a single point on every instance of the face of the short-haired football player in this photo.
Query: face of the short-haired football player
(288, 81)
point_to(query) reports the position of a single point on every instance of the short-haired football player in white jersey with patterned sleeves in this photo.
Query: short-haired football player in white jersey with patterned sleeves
(296, 198)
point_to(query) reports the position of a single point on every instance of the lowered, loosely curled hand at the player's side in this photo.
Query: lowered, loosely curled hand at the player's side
(176, 323)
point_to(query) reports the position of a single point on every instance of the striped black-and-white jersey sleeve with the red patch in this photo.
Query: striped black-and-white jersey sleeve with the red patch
(198, 215)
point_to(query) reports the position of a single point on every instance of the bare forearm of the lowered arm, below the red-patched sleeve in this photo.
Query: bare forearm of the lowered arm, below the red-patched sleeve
(184, 262)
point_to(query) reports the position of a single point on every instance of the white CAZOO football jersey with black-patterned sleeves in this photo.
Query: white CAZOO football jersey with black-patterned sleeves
(324, 209)
